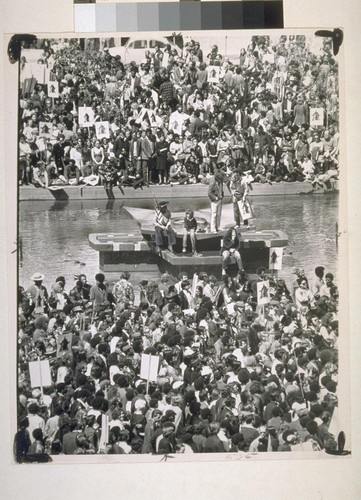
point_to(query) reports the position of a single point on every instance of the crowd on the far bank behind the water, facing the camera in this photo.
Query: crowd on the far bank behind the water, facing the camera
(180, 116)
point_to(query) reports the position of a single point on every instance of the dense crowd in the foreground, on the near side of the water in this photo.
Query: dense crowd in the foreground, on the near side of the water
(233, 376)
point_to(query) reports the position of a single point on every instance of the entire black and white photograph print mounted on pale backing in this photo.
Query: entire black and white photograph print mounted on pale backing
(178, 247)
